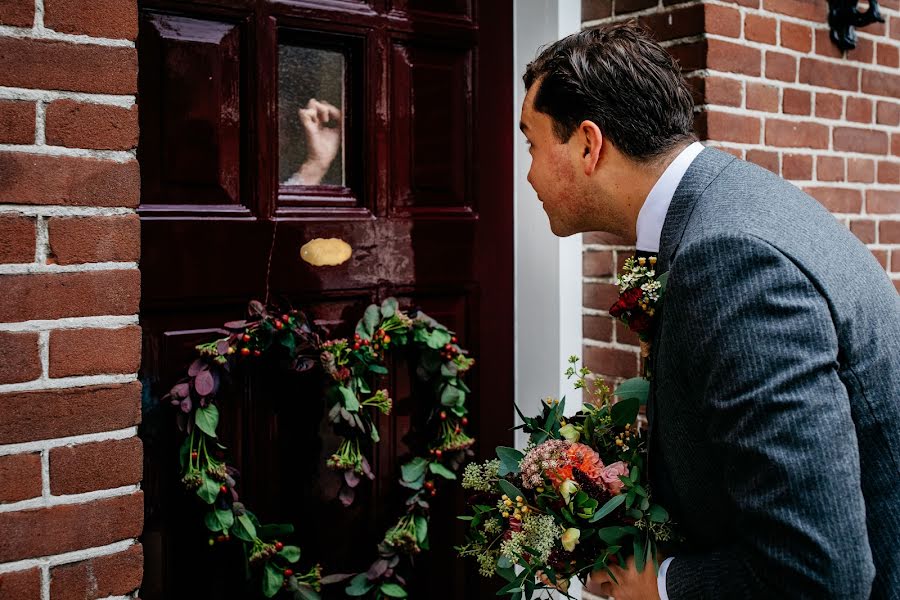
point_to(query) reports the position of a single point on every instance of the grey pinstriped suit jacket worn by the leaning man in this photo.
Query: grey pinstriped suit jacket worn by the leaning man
(775, 408)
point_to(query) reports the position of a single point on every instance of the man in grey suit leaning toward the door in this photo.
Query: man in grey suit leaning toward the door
(775, 403)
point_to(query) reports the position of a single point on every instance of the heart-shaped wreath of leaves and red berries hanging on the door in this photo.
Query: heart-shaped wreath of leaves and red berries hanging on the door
(353, 369)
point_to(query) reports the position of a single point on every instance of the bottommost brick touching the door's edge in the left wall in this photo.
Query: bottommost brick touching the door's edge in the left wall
(111, 575)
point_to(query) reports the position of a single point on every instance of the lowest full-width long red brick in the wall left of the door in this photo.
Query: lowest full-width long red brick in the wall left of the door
(69, 527)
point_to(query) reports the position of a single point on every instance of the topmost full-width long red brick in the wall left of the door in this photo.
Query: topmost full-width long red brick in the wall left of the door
(53, 65)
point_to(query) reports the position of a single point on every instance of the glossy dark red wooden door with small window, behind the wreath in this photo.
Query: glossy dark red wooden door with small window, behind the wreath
(411, 101)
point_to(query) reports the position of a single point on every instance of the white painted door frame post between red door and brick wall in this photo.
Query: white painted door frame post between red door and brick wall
(548, 269)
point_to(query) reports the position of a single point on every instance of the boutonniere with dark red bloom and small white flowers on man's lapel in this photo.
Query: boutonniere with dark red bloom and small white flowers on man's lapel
(640, 293)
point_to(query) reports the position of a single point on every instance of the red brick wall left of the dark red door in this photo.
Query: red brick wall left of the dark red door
(70, 461)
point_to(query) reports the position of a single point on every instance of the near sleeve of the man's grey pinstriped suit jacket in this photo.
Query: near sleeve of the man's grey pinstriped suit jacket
(764, 365)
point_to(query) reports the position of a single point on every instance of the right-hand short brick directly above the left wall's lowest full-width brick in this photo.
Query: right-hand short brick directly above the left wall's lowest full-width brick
(95, 466)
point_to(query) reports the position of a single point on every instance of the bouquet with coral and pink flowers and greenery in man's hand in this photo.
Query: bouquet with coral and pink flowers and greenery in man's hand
(574, 502)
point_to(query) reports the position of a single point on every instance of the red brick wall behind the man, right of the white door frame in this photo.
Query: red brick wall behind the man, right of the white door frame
(770, 87)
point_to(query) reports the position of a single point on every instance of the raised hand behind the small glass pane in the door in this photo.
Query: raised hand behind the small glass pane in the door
(321, 123)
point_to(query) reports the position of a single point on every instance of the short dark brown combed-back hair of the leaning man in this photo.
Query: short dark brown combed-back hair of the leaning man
(618, 77)
